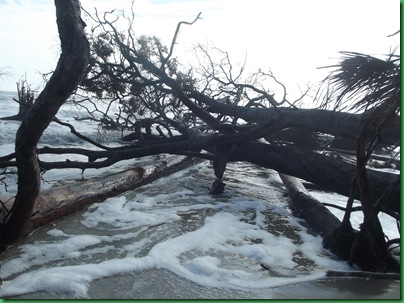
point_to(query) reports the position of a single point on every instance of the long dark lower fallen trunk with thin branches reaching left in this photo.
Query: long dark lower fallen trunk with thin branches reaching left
(332, 174)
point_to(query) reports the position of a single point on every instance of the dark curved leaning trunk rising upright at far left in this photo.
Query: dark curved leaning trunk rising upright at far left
(65, 79)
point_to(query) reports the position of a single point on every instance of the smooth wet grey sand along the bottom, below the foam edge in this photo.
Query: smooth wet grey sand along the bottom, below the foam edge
(162, 284)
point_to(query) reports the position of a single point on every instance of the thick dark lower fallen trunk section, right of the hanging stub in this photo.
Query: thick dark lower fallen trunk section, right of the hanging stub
(332, 174)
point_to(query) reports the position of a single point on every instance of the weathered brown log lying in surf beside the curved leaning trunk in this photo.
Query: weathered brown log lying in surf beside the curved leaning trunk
(55, 203)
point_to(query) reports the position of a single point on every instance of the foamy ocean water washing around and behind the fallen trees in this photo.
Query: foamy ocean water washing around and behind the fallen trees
(167, 239)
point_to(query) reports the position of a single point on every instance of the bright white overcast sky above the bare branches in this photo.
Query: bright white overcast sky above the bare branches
(291, 37)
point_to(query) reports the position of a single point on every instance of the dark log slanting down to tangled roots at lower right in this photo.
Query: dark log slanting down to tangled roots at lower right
(342, 240)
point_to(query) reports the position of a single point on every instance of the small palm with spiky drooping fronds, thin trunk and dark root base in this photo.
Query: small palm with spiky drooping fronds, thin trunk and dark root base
(363, 83)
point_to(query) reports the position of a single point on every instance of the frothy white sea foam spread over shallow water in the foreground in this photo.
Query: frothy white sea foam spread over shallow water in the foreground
(221, 253)
